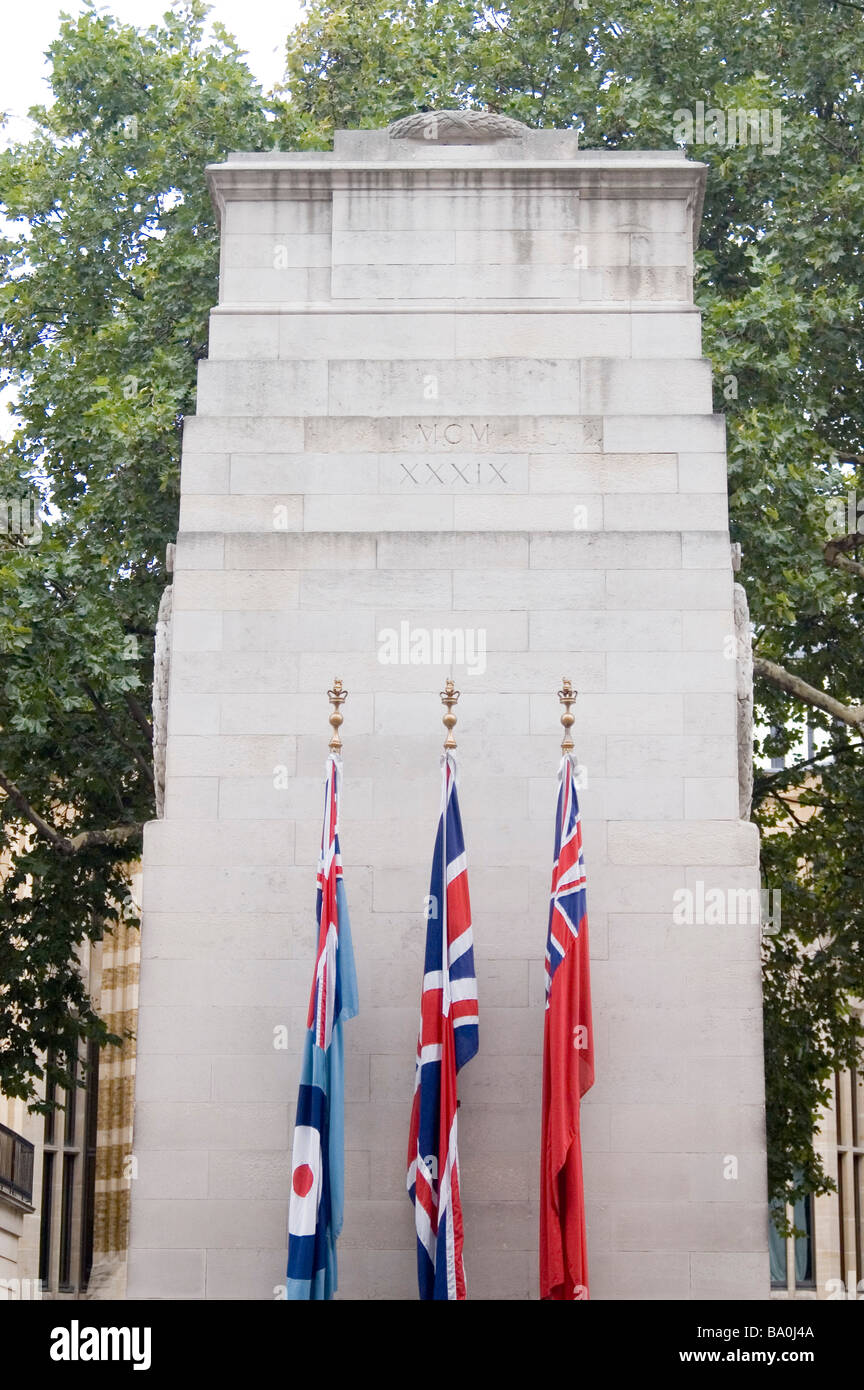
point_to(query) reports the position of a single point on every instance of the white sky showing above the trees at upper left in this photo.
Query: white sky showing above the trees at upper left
(259, 26)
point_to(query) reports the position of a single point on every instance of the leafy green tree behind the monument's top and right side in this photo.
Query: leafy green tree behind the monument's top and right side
(779, 281)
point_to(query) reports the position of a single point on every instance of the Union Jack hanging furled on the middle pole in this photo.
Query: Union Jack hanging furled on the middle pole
(448, 1039)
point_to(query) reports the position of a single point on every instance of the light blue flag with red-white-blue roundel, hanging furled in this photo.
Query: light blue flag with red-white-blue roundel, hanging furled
(317, 1197)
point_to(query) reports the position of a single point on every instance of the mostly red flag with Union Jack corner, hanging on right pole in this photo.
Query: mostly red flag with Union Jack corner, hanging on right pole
(569, 1058)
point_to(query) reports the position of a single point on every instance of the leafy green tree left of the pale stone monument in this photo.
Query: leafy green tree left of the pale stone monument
(109, 275)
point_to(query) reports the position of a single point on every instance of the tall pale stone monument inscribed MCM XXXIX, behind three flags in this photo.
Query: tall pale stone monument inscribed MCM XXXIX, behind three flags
(455, 422)
